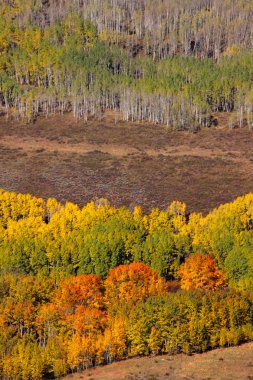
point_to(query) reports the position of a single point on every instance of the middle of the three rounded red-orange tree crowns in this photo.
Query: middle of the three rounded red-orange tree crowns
(132, 283)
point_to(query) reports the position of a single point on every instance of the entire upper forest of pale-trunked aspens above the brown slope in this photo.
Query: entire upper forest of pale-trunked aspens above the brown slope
(173, 62)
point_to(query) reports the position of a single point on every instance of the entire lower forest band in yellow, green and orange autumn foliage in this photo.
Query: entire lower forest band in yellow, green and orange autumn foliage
(82, 287)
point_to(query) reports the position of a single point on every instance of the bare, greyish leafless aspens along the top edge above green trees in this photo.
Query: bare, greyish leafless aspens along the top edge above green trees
(205, 28)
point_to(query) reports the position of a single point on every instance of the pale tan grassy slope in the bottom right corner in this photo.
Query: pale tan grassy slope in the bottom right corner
(234, 363)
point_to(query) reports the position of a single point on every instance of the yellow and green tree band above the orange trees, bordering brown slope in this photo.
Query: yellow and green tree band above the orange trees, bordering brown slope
(41, 238)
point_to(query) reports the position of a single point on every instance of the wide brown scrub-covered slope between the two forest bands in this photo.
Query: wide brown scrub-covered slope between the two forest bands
(128, 163)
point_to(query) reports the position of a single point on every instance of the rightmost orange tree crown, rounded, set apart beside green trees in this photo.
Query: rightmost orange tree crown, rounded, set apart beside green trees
(200, 271)
